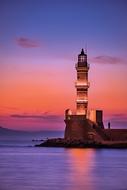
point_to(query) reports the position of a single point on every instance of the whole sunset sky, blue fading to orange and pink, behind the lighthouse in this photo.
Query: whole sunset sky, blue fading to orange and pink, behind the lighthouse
(39, 44)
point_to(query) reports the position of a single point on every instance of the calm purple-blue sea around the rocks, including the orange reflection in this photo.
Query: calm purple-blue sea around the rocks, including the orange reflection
(26, 167)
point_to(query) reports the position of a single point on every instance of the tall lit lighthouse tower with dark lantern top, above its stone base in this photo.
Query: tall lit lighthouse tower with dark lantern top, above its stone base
(82, 84)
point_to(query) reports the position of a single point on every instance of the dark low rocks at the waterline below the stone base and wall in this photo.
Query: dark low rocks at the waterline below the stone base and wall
(60, 142)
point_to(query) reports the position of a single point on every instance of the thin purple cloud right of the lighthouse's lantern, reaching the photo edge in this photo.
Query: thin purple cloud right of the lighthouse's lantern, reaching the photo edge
(105, 59)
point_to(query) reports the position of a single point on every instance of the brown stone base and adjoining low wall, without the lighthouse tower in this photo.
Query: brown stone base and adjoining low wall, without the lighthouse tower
(80, 128)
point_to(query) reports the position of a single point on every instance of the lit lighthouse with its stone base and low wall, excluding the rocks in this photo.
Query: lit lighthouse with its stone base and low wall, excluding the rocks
(87, 125)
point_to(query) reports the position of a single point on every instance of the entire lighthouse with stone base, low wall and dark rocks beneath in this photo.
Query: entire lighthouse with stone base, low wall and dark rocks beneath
(85, 128)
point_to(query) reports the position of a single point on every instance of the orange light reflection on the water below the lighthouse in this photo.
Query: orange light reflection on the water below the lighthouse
(80, 161)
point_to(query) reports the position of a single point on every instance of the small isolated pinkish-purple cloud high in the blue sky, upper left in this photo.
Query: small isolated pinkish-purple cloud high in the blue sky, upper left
(27, 43)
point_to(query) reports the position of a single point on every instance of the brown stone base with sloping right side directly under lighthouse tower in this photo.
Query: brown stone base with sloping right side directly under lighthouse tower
(80, 128)
